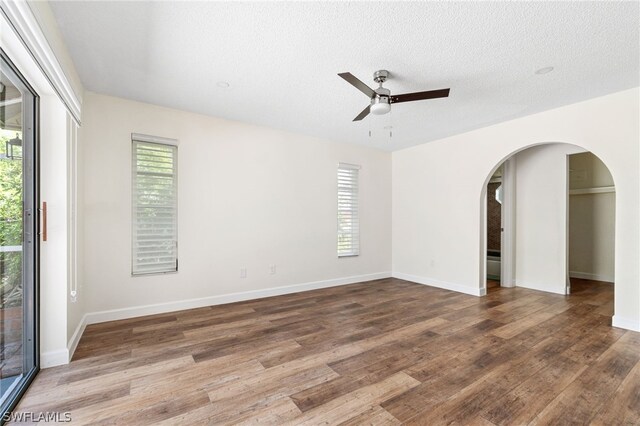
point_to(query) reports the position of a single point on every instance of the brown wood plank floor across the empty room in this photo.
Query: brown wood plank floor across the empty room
(381, 352)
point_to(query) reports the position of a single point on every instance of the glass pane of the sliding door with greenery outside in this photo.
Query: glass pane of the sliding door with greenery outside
(18, 234)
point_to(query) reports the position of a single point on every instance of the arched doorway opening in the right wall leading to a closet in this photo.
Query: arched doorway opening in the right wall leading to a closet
(539, 192)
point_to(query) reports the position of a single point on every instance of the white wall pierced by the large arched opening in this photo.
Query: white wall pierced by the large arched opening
(437, 193)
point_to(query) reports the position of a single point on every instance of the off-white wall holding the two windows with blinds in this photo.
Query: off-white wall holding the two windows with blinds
(249, 197)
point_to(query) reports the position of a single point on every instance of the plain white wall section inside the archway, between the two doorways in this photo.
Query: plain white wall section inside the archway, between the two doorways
(540, 217)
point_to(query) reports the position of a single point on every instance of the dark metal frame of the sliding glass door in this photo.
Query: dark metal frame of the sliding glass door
(31, 236)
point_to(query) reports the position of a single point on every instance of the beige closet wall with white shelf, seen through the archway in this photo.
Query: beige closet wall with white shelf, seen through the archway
(591, 220)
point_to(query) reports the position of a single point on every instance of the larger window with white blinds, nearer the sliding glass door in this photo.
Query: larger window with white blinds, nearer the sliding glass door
(155, 225)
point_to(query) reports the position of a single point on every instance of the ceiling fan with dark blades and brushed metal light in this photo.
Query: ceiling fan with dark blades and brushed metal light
(381, 98)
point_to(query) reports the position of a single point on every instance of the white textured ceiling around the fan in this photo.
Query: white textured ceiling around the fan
(281, 60)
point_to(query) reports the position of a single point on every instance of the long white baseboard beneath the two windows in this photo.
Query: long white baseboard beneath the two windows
(160, 308)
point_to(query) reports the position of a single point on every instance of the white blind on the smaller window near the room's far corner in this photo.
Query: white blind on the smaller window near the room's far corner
(348, 215)
